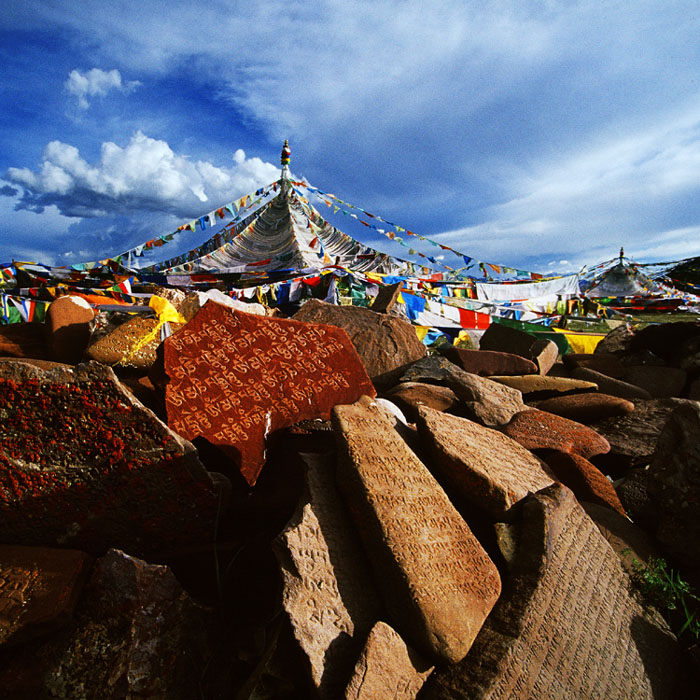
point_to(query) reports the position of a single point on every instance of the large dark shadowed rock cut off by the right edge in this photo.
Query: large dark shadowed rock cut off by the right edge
(674, 485)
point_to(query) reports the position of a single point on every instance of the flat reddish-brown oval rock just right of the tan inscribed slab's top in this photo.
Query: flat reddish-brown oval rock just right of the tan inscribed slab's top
(541, 430)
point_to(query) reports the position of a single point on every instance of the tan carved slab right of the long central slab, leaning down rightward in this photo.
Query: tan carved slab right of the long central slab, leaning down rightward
(484, 466)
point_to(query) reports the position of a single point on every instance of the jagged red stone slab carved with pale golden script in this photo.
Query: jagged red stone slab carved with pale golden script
(235, 377)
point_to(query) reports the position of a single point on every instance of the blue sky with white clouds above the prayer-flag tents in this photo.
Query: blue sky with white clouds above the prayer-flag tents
(536, 135)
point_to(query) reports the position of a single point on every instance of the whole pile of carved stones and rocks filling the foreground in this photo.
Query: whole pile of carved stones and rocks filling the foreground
(266, 527)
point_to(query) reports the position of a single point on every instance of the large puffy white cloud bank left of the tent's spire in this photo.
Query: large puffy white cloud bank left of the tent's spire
(145, 175)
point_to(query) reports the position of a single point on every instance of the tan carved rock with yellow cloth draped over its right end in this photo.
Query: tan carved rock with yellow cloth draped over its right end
(129, 344)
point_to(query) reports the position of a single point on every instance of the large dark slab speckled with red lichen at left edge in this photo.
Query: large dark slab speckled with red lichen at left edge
(84, 464)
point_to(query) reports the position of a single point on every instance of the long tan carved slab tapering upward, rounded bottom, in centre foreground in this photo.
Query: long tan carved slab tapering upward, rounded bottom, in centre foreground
(437, 581)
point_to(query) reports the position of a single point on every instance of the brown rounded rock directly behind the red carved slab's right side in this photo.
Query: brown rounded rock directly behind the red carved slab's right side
(384, 343)
